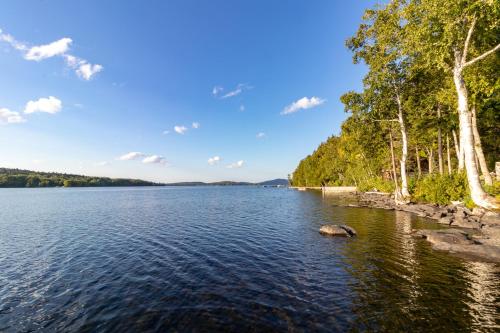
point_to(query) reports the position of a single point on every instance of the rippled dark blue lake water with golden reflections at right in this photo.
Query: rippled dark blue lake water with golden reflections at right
(226, 259)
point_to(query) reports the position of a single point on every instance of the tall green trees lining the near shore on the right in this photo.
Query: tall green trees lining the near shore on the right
(427, 122)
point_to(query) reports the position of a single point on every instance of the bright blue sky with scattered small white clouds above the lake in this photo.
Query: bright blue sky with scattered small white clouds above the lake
(122, 74)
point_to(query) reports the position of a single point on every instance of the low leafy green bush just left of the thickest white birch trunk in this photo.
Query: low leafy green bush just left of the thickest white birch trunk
(441, 189)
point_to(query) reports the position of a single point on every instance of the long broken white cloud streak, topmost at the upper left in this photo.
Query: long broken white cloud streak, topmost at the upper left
(82, 67)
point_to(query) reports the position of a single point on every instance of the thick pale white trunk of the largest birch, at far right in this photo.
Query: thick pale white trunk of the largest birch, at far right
(478, 195)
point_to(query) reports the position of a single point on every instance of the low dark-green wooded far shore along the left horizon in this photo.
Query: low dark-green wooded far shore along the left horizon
(26, 178)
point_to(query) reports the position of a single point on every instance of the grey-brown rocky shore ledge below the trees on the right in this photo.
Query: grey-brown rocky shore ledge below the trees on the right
(473, 233)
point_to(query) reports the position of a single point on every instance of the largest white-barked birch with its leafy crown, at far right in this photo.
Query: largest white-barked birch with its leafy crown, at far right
(455, 35)
